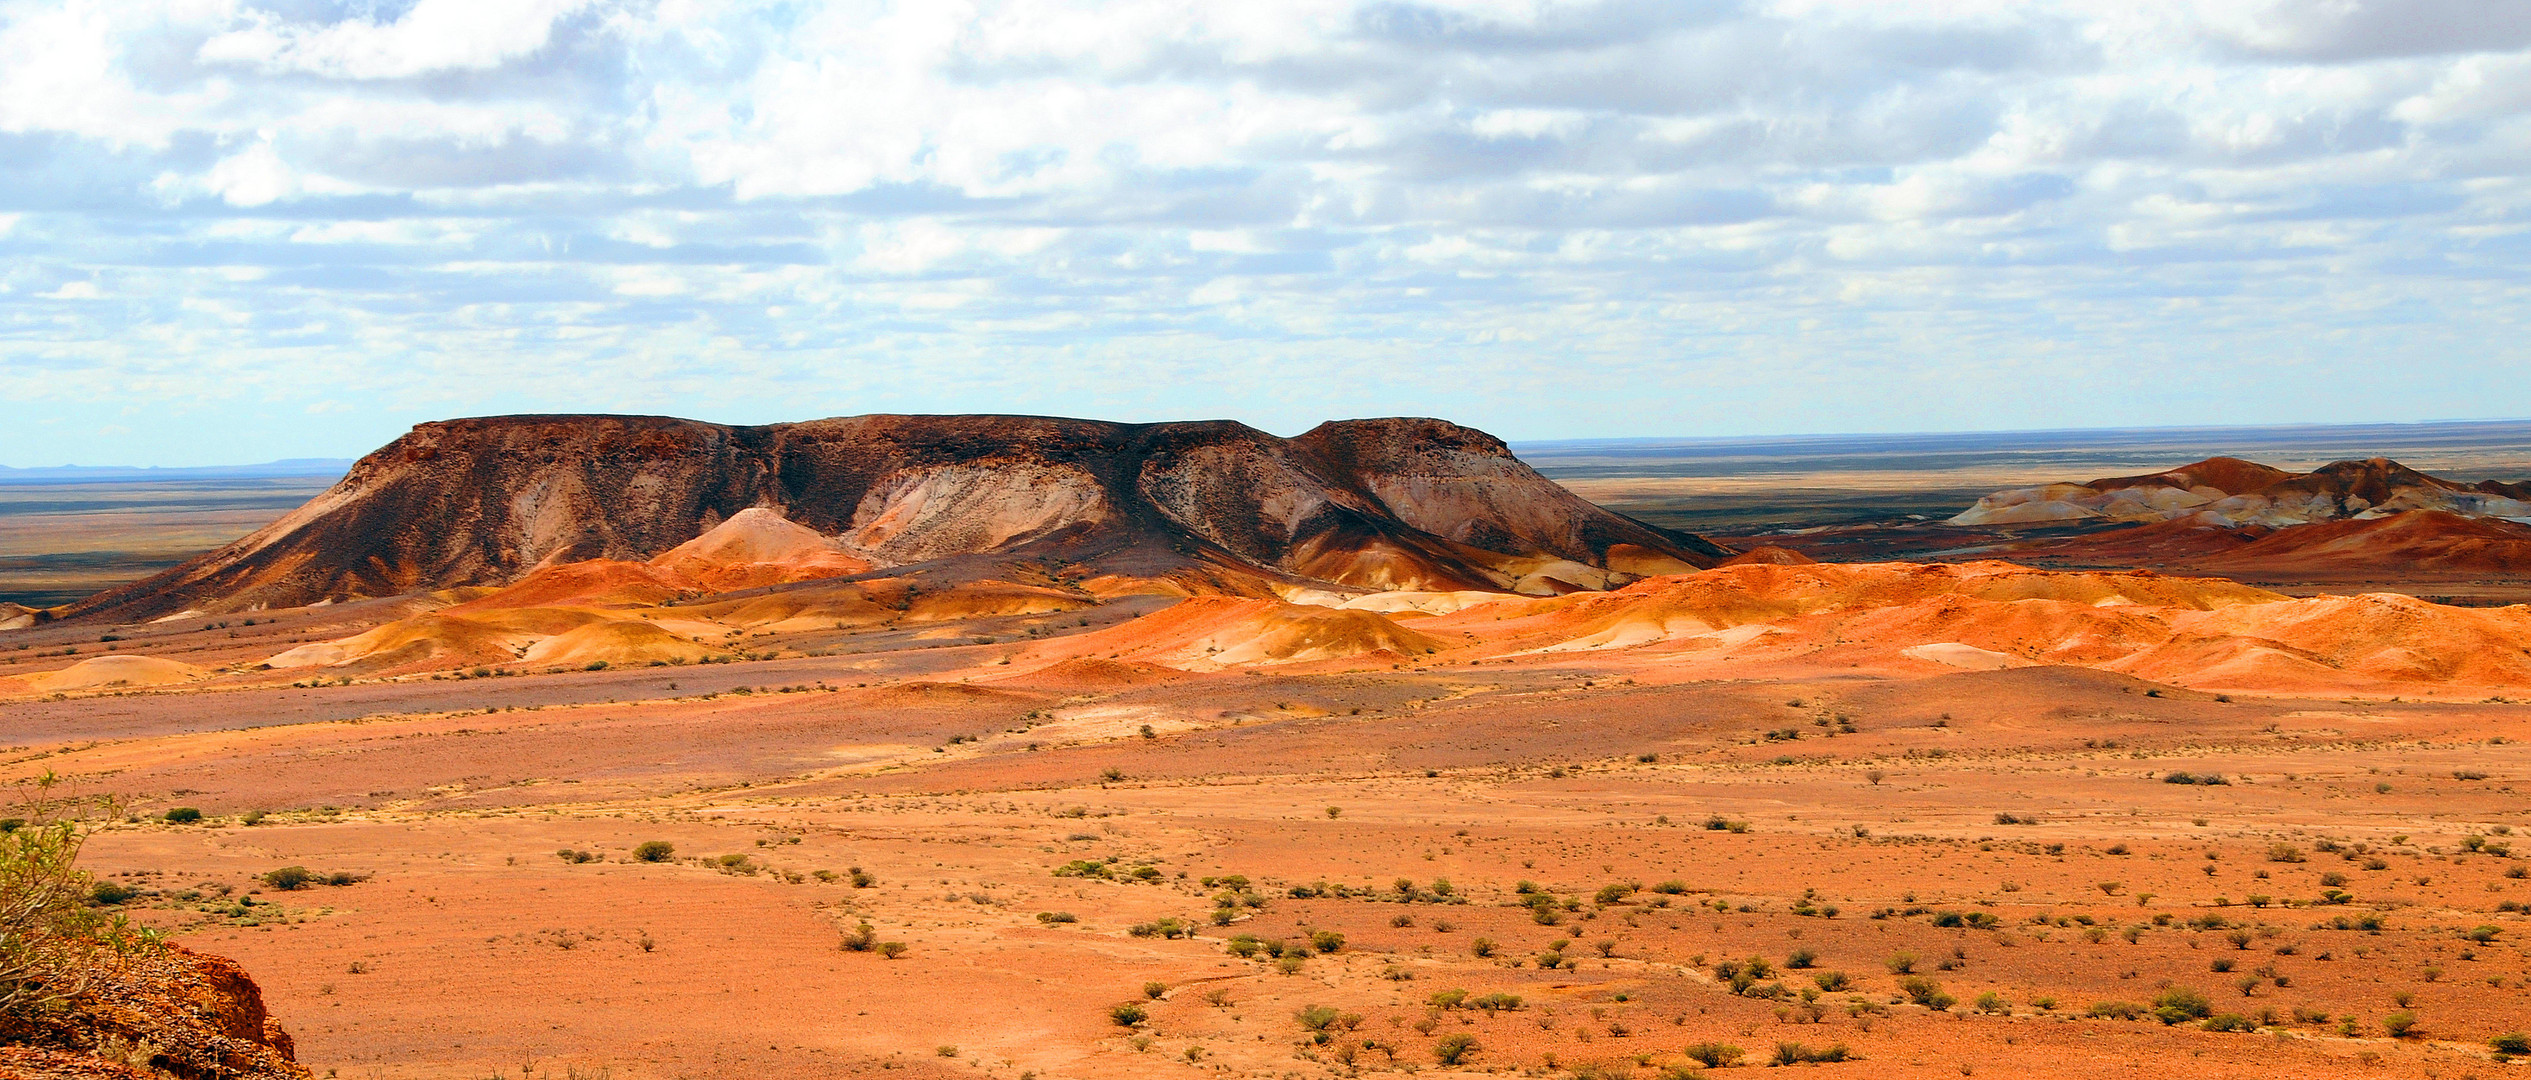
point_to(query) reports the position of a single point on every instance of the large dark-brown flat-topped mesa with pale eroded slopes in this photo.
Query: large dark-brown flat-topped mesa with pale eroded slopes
(1373, 505)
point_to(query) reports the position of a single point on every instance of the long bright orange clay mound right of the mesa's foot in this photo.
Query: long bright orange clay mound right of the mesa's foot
(2203, 634)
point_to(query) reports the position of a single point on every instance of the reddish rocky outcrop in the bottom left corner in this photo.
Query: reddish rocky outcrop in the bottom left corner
(163, 1013)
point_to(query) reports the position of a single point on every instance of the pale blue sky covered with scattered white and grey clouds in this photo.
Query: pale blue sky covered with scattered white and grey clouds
(242, 231)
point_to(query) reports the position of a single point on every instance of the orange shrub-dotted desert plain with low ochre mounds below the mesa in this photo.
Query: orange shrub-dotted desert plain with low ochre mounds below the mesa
(1932, 801)
